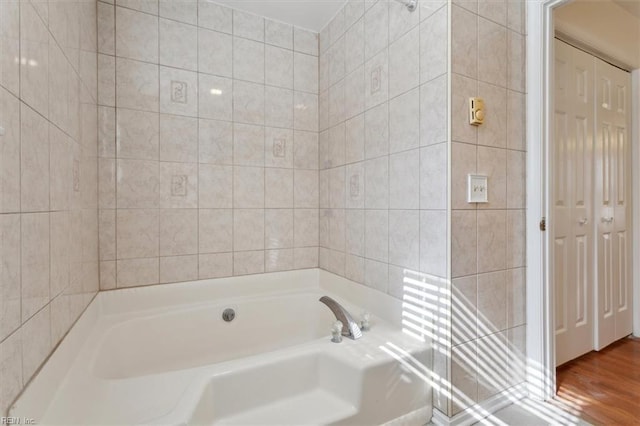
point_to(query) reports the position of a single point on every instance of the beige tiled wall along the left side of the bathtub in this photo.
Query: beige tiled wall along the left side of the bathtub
(48, 180)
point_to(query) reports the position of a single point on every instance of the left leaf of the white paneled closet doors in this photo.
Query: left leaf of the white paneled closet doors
(572, 224)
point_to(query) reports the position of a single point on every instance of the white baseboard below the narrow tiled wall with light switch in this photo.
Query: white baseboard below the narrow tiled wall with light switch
(479, 411)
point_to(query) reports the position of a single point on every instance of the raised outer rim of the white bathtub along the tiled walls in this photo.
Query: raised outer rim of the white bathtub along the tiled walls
(35, 399)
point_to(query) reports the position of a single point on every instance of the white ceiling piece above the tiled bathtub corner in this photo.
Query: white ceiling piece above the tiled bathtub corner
(309, 14)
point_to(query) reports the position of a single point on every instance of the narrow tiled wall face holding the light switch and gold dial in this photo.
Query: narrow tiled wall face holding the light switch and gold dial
(488, 240)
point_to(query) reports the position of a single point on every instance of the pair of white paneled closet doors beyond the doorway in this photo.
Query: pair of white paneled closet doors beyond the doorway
(590, 193)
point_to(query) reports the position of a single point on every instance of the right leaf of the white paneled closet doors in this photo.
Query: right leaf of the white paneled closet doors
(612, 205)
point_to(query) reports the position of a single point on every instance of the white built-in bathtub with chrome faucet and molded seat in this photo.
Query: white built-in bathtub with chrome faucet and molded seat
(163, 355)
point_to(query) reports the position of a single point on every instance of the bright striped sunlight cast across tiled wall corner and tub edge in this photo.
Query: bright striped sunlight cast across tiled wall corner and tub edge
(428, 308)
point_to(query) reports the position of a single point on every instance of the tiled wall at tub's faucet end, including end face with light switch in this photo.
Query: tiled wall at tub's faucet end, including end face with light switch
(387, 139)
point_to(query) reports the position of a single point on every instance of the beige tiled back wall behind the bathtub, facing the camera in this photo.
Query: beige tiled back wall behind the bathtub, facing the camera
(208, 143)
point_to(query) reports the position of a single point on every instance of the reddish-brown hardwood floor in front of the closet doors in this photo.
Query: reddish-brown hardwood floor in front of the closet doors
(604, 387)
